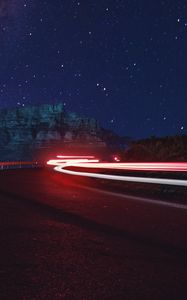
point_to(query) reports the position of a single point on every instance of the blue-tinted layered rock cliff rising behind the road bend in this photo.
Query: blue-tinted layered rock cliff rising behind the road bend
(26, 132)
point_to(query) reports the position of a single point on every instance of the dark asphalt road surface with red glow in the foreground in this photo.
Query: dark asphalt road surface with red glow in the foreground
(59, 240)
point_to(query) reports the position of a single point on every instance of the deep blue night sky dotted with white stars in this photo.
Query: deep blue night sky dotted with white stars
(123, 62)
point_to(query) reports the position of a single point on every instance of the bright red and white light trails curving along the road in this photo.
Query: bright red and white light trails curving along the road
(63, 162)
